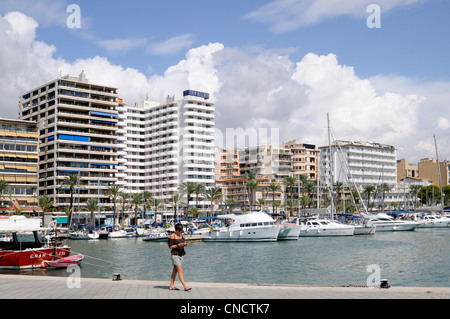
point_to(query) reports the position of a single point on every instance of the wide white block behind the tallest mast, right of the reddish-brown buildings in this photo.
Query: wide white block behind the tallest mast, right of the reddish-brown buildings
(358, 163)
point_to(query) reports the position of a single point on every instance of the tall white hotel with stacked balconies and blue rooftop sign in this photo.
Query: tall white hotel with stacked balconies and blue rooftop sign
(162, 146)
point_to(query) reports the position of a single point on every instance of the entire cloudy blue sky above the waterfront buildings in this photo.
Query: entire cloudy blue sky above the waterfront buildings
(379, 68)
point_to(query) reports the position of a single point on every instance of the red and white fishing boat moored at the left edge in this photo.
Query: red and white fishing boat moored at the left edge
(21, 245)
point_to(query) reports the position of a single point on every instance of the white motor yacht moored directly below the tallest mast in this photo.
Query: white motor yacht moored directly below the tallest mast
(325, 227)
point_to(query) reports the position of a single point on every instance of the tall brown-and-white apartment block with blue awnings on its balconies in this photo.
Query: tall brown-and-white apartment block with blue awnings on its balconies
(77, 123)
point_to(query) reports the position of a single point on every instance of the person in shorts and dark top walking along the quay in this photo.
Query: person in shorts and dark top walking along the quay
(177, 244)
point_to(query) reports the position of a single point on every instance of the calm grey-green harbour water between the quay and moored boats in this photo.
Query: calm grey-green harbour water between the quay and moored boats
(420, 258)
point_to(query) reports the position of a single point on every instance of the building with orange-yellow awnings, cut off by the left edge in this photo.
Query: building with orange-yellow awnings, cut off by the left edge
(18, 166)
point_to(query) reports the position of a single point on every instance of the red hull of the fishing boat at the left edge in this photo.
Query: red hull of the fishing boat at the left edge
(30, 258)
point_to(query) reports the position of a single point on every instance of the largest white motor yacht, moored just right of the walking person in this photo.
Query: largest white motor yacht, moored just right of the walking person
(246, 227)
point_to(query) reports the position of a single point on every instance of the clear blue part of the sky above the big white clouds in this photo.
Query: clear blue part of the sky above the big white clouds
(410, 42)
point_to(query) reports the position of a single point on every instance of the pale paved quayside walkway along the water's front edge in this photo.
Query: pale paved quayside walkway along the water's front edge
(44, 287)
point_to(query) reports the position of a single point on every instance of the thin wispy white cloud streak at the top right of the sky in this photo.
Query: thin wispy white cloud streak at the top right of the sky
(288, 15)
